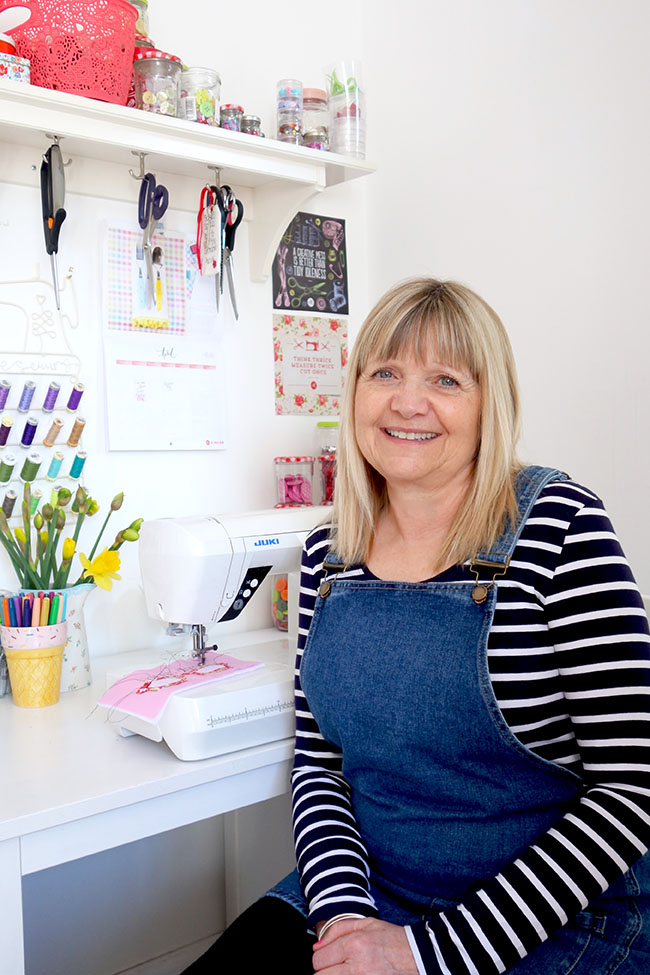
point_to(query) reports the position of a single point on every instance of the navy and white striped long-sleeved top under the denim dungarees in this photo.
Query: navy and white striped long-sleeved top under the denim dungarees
(569, 659)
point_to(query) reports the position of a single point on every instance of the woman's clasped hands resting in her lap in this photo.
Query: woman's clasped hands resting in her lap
(364, 946)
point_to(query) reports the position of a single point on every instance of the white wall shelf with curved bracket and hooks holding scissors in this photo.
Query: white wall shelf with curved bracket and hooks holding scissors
(281, 177)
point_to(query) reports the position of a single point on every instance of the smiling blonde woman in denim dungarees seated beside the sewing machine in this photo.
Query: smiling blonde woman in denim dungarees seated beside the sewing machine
(472, 774)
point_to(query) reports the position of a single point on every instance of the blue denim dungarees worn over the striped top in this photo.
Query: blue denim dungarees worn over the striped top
(445, 796)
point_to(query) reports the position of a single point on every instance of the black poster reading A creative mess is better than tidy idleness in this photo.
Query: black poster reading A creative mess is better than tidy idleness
(310, 266)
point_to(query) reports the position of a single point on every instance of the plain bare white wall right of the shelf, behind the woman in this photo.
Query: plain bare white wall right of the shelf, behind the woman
(513, 154)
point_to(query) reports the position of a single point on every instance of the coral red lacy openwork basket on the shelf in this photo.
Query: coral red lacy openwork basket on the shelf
(84, 47)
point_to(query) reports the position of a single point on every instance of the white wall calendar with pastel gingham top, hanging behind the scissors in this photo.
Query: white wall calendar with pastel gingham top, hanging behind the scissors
(161, 356)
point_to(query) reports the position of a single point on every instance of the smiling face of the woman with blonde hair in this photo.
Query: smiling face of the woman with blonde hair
(417, 423)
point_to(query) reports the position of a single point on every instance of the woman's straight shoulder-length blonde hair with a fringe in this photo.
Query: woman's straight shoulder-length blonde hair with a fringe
(466, 333)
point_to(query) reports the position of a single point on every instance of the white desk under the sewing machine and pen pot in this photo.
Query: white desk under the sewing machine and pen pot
(71, 787)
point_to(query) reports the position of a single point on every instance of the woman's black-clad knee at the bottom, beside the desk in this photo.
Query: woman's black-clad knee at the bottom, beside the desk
(269, 936)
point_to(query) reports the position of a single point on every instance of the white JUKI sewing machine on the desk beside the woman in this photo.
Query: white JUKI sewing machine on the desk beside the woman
(202, 570)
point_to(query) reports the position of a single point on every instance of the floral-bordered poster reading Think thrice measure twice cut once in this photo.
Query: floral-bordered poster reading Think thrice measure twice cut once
(310, 354)
